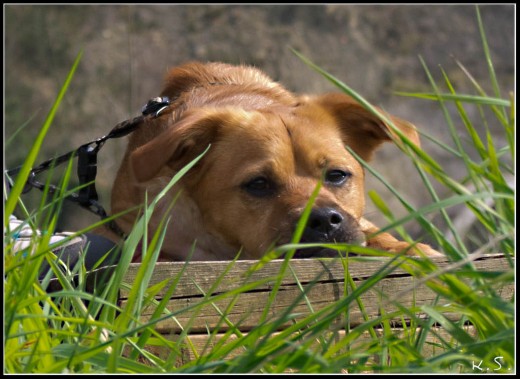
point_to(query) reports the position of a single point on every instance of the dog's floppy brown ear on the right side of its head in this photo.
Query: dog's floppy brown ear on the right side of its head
(363, 131)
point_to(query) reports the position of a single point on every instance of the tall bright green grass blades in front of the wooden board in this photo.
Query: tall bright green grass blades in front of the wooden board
(75, 331)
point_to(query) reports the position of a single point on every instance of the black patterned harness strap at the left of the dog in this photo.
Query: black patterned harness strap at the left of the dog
(87, 163)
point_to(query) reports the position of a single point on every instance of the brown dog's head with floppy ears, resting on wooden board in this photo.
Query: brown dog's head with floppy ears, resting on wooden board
(264, 163)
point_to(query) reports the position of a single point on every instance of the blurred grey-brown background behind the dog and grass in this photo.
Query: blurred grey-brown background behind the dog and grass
(127, 50)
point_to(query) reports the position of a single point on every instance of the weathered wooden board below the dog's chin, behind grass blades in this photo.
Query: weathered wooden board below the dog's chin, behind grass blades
(322, 279)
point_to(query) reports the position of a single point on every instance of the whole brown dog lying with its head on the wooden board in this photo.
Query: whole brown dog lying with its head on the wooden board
(269, 148)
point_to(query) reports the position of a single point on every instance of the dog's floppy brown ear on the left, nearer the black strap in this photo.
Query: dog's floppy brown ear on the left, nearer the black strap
(176, 146)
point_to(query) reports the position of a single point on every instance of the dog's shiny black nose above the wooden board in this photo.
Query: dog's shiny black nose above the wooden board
(323, 224)
